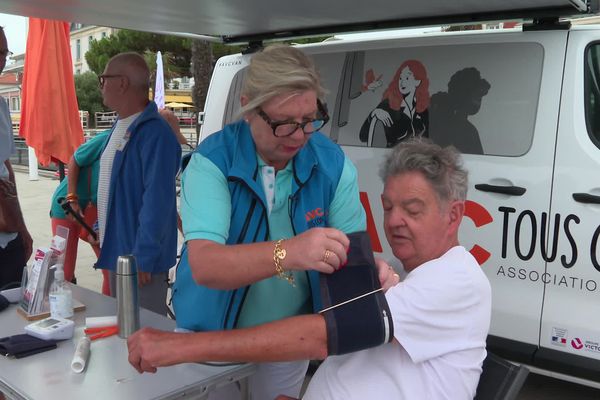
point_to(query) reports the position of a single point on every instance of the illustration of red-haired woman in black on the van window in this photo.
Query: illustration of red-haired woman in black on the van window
(402, 112)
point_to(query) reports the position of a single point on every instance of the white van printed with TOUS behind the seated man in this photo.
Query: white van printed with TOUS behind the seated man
(524, 107)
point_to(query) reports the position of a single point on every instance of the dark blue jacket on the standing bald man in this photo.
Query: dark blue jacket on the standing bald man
(142, 214)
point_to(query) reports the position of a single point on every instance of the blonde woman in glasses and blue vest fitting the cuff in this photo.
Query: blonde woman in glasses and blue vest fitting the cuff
(265, 204)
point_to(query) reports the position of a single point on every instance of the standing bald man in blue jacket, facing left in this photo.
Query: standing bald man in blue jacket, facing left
(136, 189)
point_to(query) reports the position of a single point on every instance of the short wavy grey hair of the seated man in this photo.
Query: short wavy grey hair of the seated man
(441, 167)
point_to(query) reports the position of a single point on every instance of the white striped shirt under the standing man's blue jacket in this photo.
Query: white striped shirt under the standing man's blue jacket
(116, 142)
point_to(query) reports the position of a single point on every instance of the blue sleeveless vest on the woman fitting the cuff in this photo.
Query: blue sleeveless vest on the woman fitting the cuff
(317, 169)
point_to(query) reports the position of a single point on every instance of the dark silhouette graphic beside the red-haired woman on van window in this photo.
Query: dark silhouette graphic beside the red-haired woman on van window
(449, 111)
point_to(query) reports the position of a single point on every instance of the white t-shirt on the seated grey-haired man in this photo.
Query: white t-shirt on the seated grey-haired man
(441, 314)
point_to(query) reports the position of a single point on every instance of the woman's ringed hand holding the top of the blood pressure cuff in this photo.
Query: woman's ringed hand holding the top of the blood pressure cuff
(320, 249)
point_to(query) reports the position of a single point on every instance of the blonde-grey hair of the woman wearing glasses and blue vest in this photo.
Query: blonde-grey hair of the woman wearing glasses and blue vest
(277, 70)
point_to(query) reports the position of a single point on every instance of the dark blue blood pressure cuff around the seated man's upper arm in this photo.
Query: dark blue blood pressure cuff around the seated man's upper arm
(356, 312)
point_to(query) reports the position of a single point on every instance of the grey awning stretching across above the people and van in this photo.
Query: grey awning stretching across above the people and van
(243, 20)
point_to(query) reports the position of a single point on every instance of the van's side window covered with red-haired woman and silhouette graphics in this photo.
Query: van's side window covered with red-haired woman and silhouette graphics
(483, 99)
